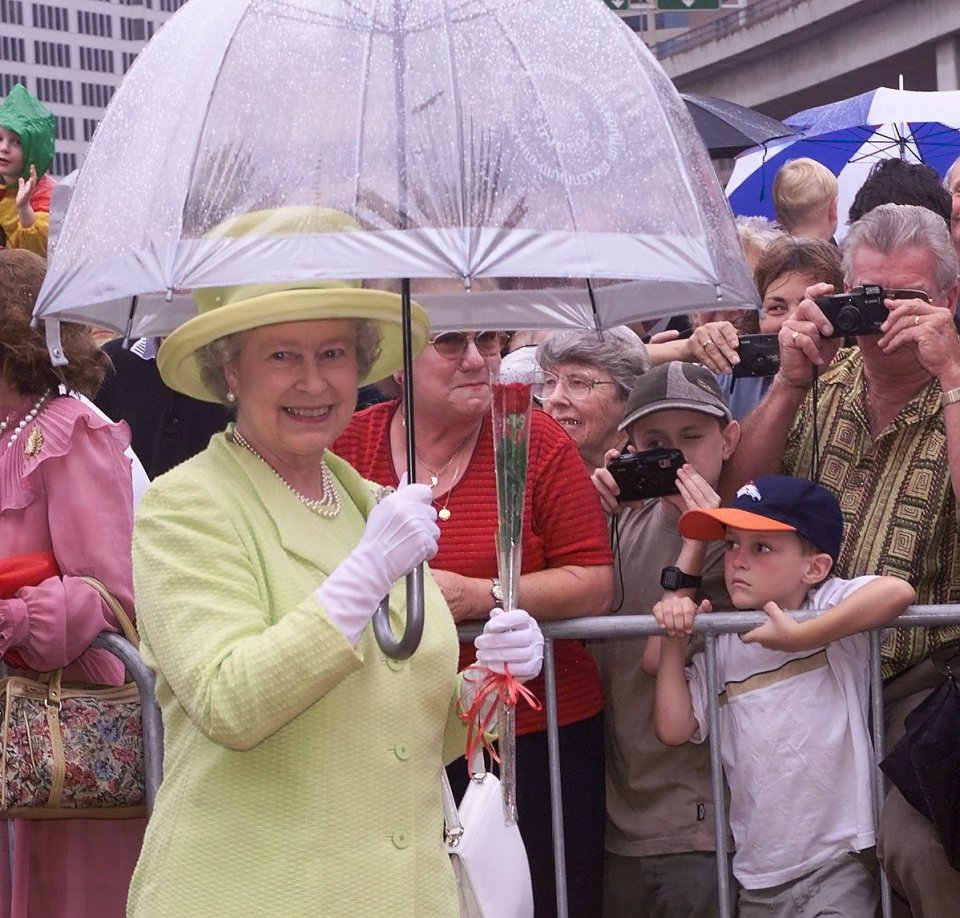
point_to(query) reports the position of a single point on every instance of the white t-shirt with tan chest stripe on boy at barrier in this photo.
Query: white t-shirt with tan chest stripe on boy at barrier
(796, 748)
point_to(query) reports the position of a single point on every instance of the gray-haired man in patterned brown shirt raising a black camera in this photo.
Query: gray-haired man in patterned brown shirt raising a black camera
(882, 431)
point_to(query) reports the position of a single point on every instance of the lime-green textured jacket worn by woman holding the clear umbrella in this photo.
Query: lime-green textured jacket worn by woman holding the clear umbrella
(301, 774)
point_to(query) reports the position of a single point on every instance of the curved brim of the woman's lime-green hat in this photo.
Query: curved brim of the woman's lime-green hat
(177, 357)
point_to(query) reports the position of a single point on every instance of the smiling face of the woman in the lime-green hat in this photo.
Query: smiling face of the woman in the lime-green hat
(296, 387)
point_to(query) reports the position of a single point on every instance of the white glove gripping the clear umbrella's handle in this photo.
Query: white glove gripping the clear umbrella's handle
(401, 533)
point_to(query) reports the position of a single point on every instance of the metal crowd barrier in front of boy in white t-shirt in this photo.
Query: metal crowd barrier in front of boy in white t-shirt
(632, 626)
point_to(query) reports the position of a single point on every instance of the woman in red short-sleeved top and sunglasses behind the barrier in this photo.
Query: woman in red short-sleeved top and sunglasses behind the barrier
(566, 573)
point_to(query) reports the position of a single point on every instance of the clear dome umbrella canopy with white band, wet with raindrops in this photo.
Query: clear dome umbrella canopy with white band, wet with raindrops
(534, 140)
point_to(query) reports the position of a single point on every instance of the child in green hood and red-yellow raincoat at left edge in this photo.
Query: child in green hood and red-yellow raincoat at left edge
(27, 132)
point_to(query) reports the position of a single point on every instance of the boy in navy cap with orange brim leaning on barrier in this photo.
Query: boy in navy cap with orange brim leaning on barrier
(795, 742)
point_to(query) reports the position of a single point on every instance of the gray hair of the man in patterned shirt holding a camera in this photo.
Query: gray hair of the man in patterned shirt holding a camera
(891, 228)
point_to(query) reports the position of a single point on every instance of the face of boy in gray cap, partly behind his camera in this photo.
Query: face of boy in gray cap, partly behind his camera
(698, 435)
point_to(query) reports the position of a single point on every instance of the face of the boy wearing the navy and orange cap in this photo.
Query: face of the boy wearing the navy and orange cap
(760, 567)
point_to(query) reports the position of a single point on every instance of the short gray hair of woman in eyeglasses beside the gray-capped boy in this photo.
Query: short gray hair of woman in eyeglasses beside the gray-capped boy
(617, 350)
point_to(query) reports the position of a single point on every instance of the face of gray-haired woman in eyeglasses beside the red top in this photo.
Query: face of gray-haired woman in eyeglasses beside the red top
(591, 418)
